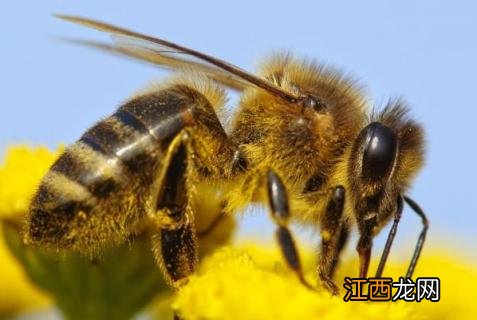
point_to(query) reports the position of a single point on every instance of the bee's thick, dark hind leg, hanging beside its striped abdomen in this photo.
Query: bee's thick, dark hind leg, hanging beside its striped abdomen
(175, 242)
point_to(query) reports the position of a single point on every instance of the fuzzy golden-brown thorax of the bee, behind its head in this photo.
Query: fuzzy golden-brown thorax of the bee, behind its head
(317, 134)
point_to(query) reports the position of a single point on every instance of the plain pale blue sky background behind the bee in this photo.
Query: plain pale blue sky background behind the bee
(422, 50)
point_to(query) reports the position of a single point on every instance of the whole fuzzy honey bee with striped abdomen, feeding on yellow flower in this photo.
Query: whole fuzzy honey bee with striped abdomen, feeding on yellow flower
(301, 141)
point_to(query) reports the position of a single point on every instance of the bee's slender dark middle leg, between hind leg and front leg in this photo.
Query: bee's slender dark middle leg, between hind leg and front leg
(278, 201)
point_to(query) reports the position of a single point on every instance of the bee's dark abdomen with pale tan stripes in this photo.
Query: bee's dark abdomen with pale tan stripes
(102, 183)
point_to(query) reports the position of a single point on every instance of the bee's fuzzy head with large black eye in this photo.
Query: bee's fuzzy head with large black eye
(386, 154)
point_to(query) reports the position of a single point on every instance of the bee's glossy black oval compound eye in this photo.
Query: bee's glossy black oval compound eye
(380, 147)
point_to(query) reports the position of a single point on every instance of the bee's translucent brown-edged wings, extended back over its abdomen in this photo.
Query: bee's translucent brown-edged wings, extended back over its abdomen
(172, 55)
